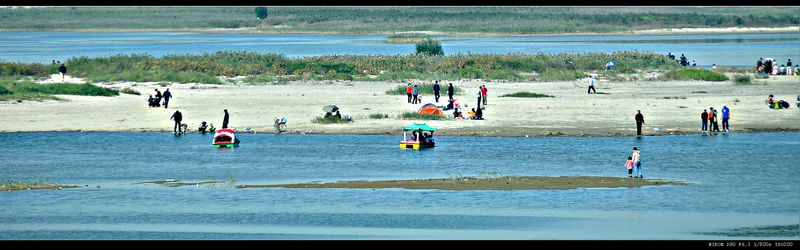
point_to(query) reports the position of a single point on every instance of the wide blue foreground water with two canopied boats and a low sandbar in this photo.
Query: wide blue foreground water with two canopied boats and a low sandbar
(735, 181)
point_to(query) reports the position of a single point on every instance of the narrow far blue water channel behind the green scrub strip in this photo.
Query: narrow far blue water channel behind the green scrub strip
(741, 50)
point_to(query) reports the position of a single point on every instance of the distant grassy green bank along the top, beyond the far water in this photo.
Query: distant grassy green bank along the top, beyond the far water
(362, 20)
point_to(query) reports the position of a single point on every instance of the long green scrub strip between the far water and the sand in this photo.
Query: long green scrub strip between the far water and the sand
(265, 67)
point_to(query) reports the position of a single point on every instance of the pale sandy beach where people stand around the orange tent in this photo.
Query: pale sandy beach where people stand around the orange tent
(674, 107)
